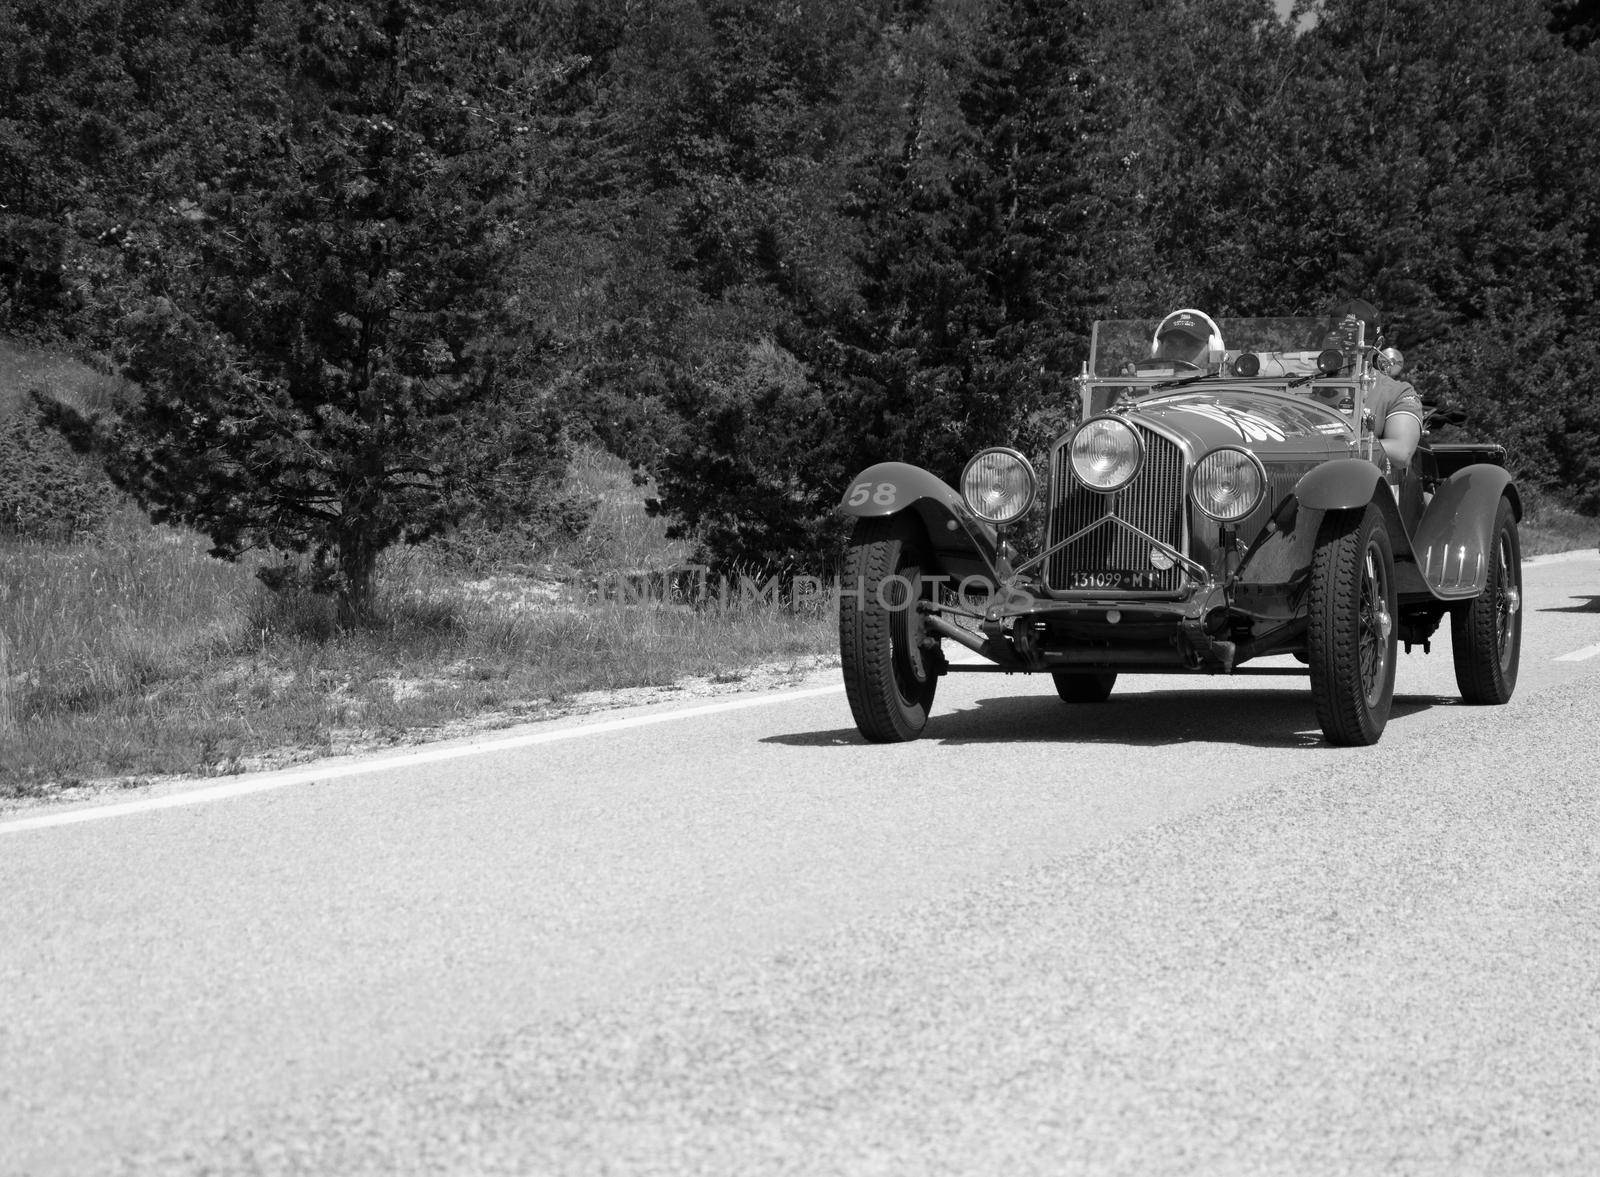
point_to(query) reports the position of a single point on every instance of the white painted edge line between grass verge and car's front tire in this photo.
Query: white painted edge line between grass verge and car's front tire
(270, 781)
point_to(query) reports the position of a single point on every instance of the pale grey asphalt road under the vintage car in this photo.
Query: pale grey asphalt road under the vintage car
(1170, 935)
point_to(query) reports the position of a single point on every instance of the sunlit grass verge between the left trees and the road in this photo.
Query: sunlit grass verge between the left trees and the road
(140, 656)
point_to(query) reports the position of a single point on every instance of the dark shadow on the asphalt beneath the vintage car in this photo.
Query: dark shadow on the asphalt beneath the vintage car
(1265, 719)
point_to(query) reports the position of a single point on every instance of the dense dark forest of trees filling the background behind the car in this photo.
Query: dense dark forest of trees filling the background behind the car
(372, 268)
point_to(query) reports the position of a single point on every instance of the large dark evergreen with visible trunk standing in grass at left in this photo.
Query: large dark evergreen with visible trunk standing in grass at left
(321, 351)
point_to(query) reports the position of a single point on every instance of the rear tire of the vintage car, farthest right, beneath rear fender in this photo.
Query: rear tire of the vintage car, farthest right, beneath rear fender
(1486, 634)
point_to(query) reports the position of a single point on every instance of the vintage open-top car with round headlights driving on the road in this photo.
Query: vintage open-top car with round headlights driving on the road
(1201, 517)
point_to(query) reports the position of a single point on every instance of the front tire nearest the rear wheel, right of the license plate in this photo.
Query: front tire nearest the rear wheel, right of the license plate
(1351, 626)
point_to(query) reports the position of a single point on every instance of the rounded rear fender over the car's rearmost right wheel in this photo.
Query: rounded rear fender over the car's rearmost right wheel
(1457, 533)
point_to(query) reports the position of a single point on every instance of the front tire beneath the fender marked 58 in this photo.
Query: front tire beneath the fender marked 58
(889, 677)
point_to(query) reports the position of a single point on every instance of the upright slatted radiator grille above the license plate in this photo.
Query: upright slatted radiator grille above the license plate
(1111, 557)
